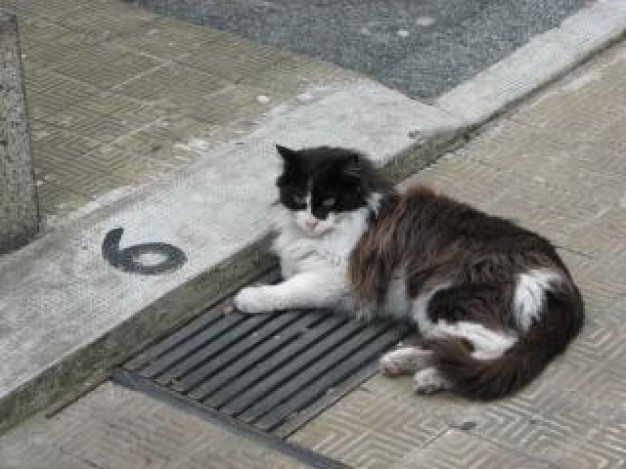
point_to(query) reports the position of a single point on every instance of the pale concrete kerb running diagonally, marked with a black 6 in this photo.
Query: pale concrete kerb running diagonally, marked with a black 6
(68, 317)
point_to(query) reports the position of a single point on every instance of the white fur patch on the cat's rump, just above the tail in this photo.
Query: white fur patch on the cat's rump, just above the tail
(530, 294)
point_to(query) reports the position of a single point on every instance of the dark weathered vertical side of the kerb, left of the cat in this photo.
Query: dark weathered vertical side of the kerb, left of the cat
(76, 373)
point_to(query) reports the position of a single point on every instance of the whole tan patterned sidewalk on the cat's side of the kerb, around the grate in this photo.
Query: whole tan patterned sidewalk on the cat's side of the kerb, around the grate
(558, 165)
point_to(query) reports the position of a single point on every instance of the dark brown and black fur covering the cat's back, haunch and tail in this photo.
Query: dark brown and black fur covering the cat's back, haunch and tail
(432, 240)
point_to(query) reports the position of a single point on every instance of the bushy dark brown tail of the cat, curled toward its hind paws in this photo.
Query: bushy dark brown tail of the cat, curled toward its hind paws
(483, 378)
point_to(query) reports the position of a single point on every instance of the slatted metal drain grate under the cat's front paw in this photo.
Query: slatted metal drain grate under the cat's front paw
(271, 371)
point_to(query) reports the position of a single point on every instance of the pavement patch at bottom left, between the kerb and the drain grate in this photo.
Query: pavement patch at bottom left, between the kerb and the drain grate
(114, 428)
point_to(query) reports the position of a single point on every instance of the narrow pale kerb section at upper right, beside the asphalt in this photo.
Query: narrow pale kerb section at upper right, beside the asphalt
(546, 58)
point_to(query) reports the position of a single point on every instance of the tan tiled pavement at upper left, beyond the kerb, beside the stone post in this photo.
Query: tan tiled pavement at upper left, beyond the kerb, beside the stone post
(119, 97)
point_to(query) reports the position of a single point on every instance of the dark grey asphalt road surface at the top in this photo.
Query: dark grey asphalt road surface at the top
(420, 47)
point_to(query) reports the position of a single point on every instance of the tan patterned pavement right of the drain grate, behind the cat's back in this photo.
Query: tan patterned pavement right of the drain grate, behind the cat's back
(558, 166)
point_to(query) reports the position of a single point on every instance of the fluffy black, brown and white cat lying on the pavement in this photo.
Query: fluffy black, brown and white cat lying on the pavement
(493, 302)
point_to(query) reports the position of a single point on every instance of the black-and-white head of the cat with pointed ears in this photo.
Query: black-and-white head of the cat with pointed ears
(320, 185)
